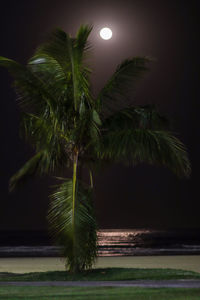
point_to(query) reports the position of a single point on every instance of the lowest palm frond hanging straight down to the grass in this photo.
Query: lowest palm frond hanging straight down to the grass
(79, 241)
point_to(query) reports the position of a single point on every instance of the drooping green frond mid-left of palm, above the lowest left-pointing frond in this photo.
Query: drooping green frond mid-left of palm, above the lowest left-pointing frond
(47, 136)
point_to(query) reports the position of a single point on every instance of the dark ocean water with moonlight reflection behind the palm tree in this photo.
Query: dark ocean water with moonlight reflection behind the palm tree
(111, 242)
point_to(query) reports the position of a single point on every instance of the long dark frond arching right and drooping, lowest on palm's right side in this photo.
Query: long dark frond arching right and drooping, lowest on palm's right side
(150, 146)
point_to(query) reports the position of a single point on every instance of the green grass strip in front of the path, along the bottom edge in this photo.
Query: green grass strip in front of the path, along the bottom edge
(97, 293)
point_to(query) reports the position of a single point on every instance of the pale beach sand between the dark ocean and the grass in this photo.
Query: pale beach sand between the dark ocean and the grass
(42, 264)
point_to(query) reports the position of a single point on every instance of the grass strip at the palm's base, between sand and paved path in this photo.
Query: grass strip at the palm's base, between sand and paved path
(102, 274)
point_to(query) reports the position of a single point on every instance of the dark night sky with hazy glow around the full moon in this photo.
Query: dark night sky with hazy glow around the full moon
(125, 197)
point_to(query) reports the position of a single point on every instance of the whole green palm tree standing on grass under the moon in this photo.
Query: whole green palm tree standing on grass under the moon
(69, 128)
